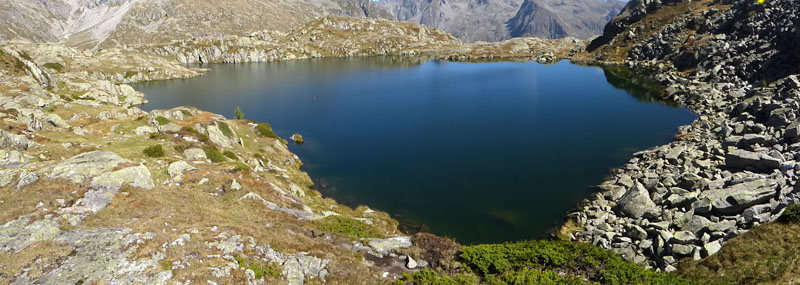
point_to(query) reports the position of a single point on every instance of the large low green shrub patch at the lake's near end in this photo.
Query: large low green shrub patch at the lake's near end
(536, 260)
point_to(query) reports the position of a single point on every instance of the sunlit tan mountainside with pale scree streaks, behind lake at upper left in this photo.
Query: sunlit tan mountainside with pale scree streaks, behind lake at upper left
(110, 22)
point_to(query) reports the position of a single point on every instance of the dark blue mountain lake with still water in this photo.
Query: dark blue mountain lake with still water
(485, 152)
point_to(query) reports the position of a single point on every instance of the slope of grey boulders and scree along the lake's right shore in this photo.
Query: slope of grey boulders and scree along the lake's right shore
(733, 168)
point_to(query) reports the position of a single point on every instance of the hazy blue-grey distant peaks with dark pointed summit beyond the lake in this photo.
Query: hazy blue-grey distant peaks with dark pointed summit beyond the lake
(494, 20)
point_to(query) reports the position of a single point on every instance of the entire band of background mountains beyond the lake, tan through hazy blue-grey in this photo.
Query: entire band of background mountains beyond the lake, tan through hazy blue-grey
(104, 23)
